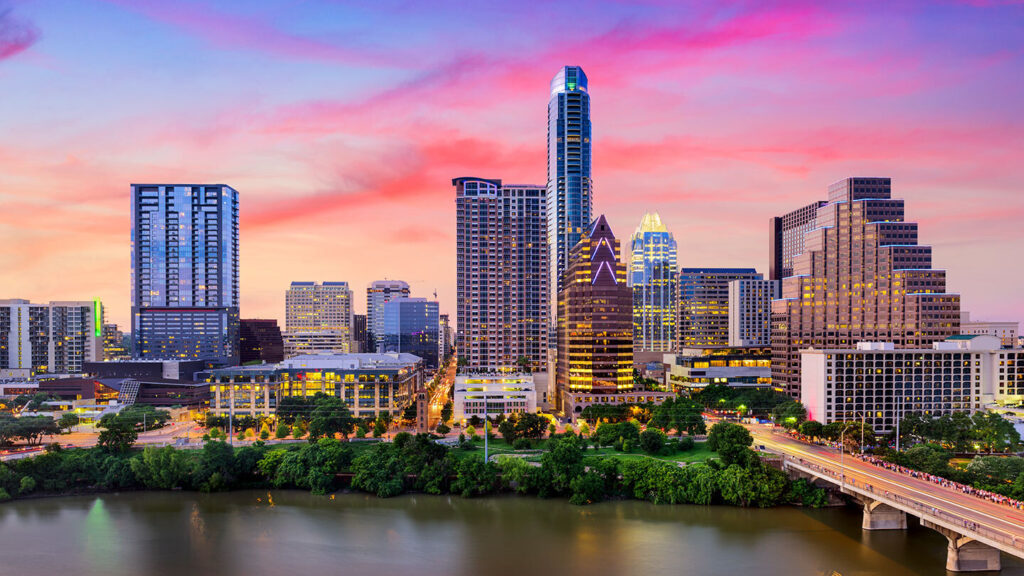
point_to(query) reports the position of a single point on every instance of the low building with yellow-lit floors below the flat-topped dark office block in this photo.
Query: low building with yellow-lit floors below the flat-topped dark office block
(692, 369)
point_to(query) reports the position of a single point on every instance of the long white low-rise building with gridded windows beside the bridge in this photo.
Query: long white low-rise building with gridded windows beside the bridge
(880, 384)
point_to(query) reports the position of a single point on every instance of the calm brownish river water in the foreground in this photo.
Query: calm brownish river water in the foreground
(294, 534)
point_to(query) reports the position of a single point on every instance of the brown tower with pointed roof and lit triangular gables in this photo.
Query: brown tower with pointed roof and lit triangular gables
(595, 324)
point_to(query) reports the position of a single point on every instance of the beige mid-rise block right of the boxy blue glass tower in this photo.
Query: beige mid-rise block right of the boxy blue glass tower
(318, 318)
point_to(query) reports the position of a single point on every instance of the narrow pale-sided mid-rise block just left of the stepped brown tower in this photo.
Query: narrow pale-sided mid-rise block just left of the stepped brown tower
(750, 312)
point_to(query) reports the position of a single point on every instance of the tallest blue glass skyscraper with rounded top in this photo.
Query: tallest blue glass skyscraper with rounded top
(570, 186)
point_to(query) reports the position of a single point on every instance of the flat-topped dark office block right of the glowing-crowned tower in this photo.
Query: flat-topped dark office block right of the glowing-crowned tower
(704, 305)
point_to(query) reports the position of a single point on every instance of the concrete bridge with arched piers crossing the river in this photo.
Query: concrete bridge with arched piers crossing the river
(977, 529)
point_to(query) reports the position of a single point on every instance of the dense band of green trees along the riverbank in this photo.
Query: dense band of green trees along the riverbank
(416, 464)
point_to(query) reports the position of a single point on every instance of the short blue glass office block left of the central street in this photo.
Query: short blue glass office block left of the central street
(411, 326)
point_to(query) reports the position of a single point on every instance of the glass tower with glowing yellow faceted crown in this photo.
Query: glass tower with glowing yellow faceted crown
(653, 276)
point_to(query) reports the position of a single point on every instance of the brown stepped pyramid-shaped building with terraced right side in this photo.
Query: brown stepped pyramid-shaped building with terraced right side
(862, 277)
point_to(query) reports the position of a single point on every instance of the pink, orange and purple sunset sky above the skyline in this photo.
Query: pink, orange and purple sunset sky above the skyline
(343, 127)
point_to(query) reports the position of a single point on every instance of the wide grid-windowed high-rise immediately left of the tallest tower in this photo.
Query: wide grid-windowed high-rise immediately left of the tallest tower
(501, 275)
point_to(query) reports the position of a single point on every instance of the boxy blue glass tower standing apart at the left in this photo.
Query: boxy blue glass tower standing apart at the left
(185, 248)
